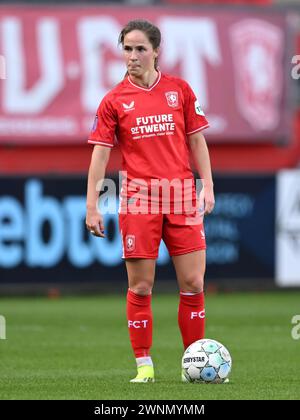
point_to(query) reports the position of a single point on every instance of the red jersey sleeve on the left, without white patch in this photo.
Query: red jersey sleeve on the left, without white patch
(104, 127)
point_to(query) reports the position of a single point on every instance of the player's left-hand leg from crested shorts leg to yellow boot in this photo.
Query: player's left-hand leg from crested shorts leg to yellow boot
(141, 236)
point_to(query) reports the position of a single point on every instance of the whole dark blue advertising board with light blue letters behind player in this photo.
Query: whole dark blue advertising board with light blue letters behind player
(43, 238)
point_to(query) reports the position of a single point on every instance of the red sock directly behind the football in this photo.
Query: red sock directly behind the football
(191, 317)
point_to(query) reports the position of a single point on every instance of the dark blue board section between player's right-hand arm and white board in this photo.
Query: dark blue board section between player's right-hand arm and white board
(240, 231)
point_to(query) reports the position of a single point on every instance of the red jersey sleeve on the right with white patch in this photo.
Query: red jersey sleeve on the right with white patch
(194, 116)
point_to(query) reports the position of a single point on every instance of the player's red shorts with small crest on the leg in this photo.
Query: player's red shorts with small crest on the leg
(142, 233)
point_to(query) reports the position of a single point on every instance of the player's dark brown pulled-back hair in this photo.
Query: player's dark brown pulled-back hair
(151, 31)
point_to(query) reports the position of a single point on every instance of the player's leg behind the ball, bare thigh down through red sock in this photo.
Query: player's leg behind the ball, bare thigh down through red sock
(190, 269)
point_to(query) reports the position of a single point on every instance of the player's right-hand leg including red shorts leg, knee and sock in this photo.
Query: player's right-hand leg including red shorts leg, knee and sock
(185, 240)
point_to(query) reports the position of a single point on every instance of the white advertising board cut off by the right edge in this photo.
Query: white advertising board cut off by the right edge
(288, 228)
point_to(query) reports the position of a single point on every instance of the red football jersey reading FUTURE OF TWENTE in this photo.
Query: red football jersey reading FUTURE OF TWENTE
(151, 127)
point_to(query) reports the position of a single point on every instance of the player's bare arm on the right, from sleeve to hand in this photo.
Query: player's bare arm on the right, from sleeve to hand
(202, 161)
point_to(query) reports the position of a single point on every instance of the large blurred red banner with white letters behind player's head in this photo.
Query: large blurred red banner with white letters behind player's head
(61, 61)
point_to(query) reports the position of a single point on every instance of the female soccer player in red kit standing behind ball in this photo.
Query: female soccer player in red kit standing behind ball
(156, 119)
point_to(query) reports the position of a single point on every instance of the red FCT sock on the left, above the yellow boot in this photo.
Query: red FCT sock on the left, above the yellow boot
(139, 316)
